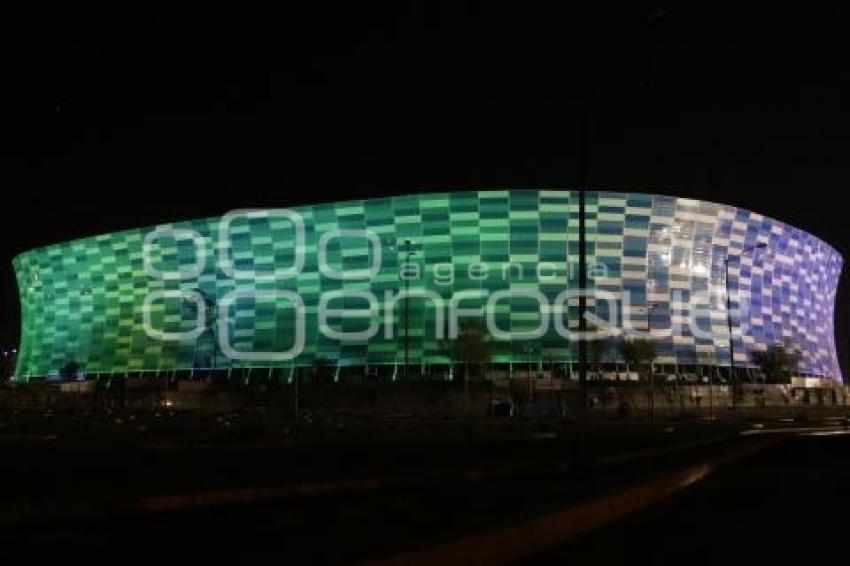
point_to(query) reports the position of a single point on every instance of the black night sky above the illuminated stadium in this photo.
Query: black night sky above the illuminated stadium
(113, 121)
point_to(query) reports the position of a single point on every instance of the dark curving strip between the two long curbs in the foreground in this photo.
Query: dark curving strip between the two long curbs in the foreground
(332, 529)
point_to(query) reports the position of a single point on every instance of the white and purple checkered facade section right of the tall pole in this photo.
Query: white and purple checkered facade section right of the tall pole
(666, 251)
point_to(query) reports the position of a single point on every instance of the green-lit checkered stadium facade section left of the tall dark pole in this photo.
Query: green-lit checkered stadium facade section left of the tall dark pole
(84, 300)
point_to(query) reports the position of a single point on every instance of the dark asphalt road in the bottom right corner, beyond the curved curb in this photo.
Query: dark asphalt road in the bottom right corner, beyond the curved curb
(788, 504)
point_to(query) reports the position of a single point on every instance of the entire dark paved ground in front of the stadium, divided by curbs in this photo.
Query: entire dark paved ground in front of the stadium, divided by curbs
(787, 499)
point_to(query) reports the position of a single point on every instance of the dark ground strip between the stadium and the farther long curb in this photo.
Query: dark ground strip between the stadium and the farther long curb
(93, 458)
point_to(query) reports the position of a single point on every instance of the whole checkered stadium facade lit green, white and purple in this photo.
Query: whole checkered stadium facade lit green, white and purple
(284, 288)
